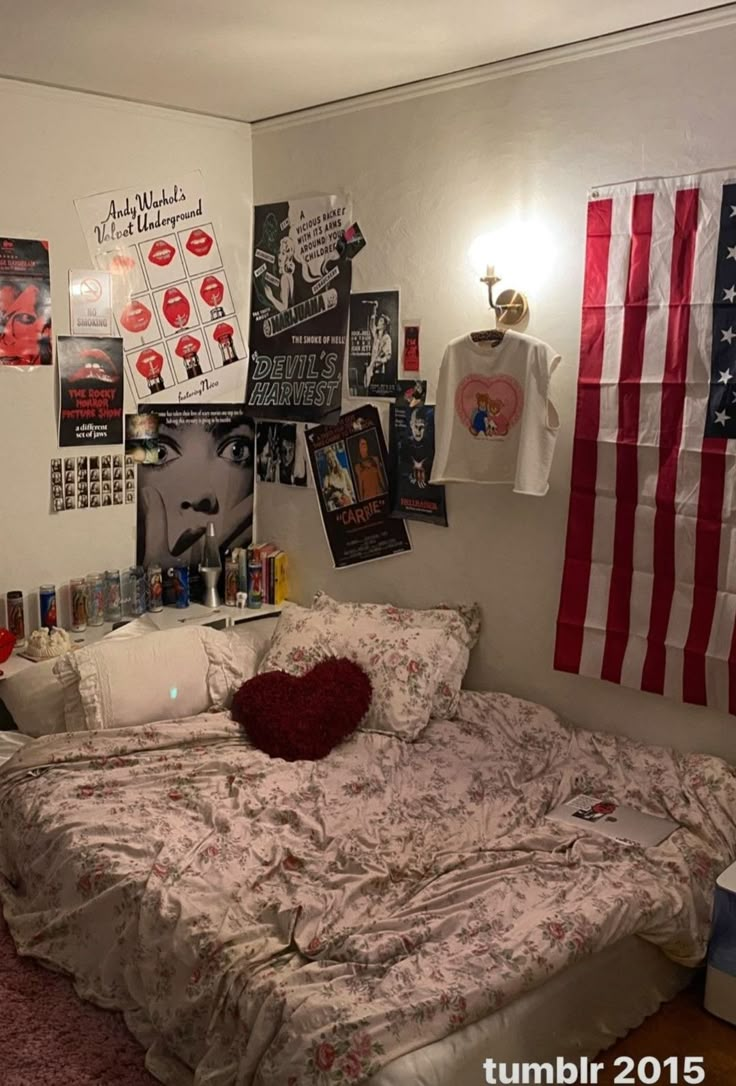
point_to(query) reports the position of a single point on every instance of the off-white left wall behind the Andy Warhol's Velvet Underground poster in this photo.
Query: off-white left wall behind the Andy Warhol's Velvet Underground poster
(60, 146)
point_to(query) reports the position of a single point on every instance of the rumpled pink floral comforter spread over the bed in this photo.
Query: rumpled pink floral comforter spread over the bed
(302, 925)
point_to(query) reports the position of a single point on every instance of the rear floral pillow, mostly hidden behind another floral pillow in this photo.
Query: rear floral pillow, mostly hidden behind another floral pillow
(462, 624)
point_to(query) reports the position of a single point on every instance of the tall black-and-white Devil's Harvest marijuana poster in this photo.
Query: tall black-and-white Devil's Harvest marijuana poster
(300, 299)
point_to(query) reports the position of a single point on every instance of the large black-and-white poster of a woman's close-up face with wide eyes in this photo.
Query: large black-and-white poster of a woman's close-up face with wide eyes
(200, 469)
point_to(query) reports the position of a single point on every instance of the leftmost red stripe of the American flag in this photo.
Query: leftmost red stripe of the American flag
(579, 547)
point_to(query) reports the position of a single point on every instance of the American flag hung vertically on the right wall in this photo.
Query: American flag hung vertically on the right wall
(649, 596)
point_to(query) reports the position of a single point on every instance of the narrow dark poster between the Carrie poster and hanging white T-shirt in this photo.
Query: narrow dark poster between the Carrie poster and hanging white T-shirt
(412, 446)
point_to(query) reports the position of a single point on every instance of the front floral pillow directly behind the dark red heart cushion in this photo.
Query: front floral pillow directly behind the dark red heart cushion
(405, 665)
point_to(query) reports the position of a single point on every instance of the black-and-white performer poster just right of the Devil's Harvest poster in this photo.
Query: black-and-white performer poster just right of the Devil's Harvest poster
(373, 365)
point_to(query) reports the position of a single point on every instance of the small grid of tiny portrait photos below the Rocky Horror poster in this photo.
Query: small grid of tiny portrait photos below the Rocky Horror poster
(92, 483)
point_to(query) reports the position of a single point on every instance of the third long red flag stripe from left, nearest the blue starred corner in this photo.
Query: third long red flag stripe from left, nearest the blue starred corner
(675, 389)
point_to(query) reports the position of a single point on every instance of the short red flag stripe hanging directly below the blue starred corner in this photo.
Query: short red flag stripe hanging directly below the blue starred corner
(706, 572)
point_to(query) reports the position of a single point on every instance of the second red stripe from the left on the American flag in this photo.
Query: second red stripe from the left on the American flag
(627, 448)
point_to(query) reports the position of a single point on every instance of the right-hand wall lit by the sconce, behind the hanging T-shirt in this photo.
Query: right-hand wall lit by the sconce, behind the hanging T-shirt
(427, 175)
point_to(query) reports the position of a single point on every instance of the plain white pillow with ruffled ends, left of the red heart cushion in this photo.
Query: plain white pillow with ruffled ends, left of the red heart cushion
(164, 676)
